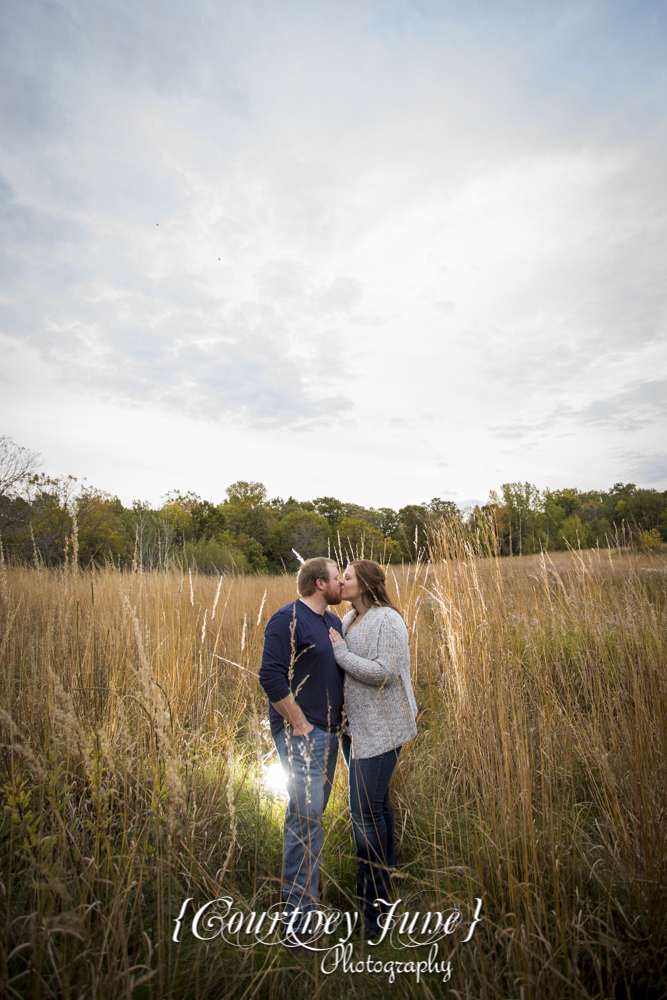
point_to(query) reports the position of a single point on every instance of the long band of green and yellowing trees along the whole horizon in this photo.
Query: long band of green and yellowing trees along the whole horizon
(52, 522)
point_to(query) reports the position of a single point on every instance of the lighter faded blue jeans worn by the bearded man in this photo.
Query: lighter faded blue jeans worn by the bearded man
(309, 763)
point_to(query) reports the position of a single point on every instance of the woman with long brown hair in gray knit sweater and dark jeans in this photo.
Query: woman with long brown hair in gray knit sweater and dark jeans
(381, 712)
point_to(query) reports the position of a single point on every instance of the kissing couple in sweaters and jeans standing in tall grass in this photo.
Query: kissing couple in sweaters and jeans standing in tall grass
(334, 683)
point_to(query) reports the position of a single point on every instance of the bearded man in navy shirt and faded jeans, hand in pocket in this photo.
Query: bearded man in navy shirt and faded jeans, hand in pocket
(305, 688)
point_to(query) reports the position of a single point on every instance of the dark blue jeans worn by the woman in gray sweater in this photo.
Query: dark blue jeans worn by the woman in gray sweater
(373, 827)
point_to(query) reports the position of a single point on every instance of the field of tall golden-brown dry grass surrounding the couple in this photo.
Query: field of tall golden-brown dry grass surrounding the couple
(134, 756)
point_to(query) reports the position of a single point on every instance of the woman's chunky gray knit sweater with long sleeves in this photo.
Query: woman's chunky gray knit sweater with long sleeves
(379, 702)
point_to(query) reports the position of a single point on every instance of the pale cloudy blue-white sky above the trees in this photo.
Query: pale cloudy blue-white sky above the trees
(373, 249)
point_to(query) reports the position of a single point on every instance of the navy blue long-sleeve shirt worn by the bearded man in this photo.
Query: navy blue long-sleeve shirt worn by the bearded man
(298, 657)
